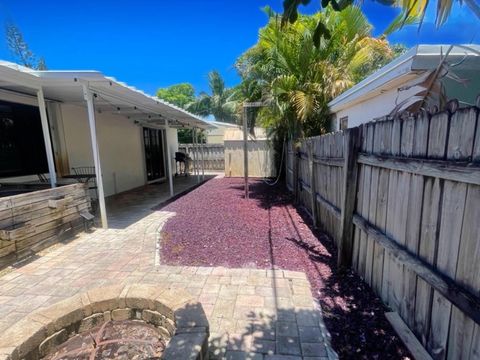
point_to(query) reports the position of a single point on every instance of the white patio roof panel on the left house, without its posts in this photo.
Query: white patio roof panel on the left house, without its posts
(113, 95)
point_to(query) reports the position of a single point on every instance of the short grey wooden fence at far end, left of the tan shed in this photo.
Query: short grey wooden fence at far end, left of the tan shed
(213, 155)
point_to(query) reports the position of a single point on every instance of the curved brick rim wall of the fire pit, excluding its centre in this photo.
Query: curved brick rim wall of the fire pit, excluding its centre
(172, 312)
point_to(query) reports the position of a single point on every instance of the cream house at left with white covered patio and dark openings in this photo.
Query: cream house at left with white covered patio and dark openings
(54, 121)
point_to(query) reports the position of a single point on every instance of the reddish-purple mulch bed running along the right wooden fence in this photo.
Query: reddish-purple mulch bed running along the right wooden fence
(216, 226)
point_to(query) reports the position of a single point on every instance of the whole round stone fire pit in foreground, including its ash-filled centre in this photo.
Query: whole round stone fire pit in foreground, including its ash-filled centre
(133, 321)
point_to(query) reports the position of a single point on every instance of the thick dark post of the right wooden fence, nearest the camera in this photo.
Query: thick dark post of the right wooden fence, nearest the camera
(351, 146)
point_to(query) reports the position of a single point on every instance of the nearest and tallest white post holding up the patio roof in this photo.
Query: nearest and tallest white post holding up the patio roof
(96, 155)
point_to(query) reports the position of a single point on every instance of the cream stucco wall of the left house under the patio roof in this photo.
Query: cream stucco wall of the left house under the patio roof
(120, 144)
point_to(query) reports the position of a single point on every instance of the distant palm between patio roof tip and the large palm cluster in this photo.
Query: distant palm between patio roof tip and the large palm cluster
(219, 103)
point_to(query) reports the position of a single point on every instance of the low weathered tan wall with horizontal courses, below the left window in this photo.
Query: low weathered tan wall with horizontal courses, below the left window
(30, 222)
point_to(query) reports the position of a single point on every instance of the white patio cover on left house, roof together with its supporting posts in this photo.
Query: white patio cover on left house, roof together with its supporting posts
(100, 94)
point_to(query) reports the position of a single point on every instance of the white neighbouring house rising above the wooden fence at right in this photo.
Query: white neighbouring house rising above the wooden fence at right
(377, 95)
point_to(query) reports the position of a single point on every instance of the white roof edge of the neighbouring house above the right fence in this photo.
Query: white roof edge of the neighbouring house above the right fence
(407, 66)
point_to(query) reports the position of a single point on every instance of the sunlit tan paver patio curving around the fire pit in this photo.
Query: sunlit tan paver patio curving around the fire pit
(253, 314)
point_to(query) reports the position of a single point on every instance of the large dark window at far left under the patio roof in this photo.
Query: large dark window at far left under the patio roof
(22, 148)
